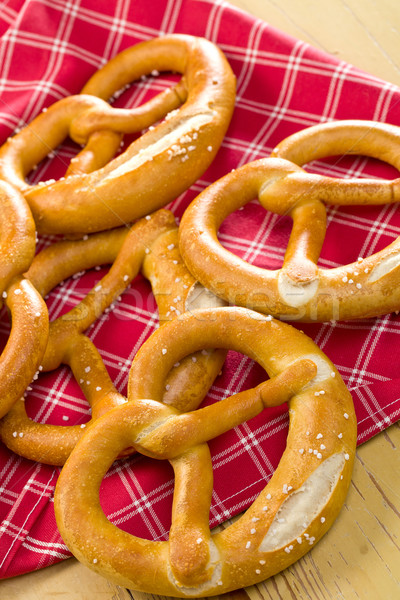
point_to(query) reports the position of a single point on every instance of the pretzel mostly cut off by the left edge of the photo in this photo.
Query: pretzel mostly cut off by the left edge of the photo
(26, 343)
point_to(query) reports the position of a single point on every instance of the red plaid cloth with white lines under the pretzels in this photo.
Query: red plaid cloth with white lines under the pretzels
(48, 49)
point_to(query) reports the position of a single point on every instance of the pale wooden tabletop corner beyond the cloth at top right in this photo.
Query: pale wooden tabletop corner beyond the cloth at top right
(364, 33)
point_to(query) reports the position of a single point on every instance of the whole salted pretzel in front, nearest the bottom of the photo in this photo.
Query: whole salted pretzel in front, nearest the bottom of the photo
(296, 508)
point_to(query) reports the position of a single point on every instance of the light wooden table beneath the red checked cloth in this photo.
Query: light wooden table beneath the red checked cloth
(359, 557)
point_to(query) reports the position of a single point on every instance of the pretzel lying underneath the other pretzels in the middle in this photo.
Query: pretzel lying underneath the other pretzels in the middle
(150, 245)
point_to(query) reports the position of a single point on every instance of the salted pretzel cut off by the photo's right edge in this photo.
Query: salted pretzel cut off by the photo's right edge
(301, 290)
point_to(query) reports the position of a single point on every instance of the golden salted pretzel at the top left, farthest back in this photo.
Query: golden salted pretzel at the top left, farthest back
(155, 168)
